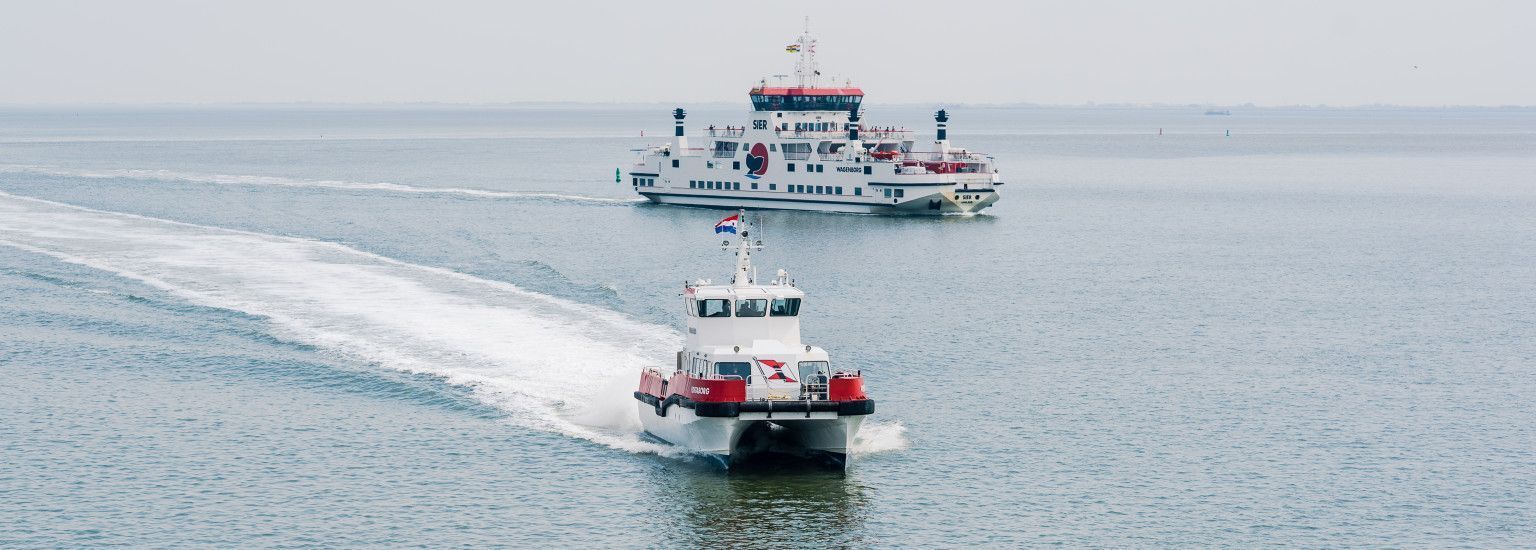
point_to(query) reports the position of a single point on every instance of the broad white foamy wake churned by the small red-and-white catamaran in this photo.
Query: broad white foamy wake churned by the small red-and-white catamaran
(554, 365)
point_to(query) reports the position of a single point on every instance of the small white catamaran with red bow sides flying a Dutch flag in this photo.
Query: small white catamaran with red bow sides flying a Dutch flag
(744, 369)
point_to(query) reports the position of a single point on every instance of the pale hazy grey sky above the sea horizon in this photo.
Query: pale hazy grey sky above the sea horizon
(1336, 53)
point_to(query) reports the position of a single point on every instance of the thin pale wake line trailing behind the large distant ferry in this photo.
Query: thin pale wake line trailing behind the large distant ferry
(268, 181)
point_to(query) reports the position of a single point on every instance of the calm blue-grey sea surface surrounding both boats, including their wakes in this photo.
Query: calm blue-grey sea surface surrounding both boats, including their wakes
(420, 326)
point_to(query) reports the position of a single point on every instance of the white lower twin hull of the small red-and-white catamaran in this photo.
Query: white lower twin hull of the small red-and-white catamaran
(824, 432)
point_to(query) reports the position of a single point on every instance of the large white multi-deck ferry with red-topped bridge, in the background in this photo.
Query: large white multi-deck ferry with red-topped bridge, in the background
(807, 148)
